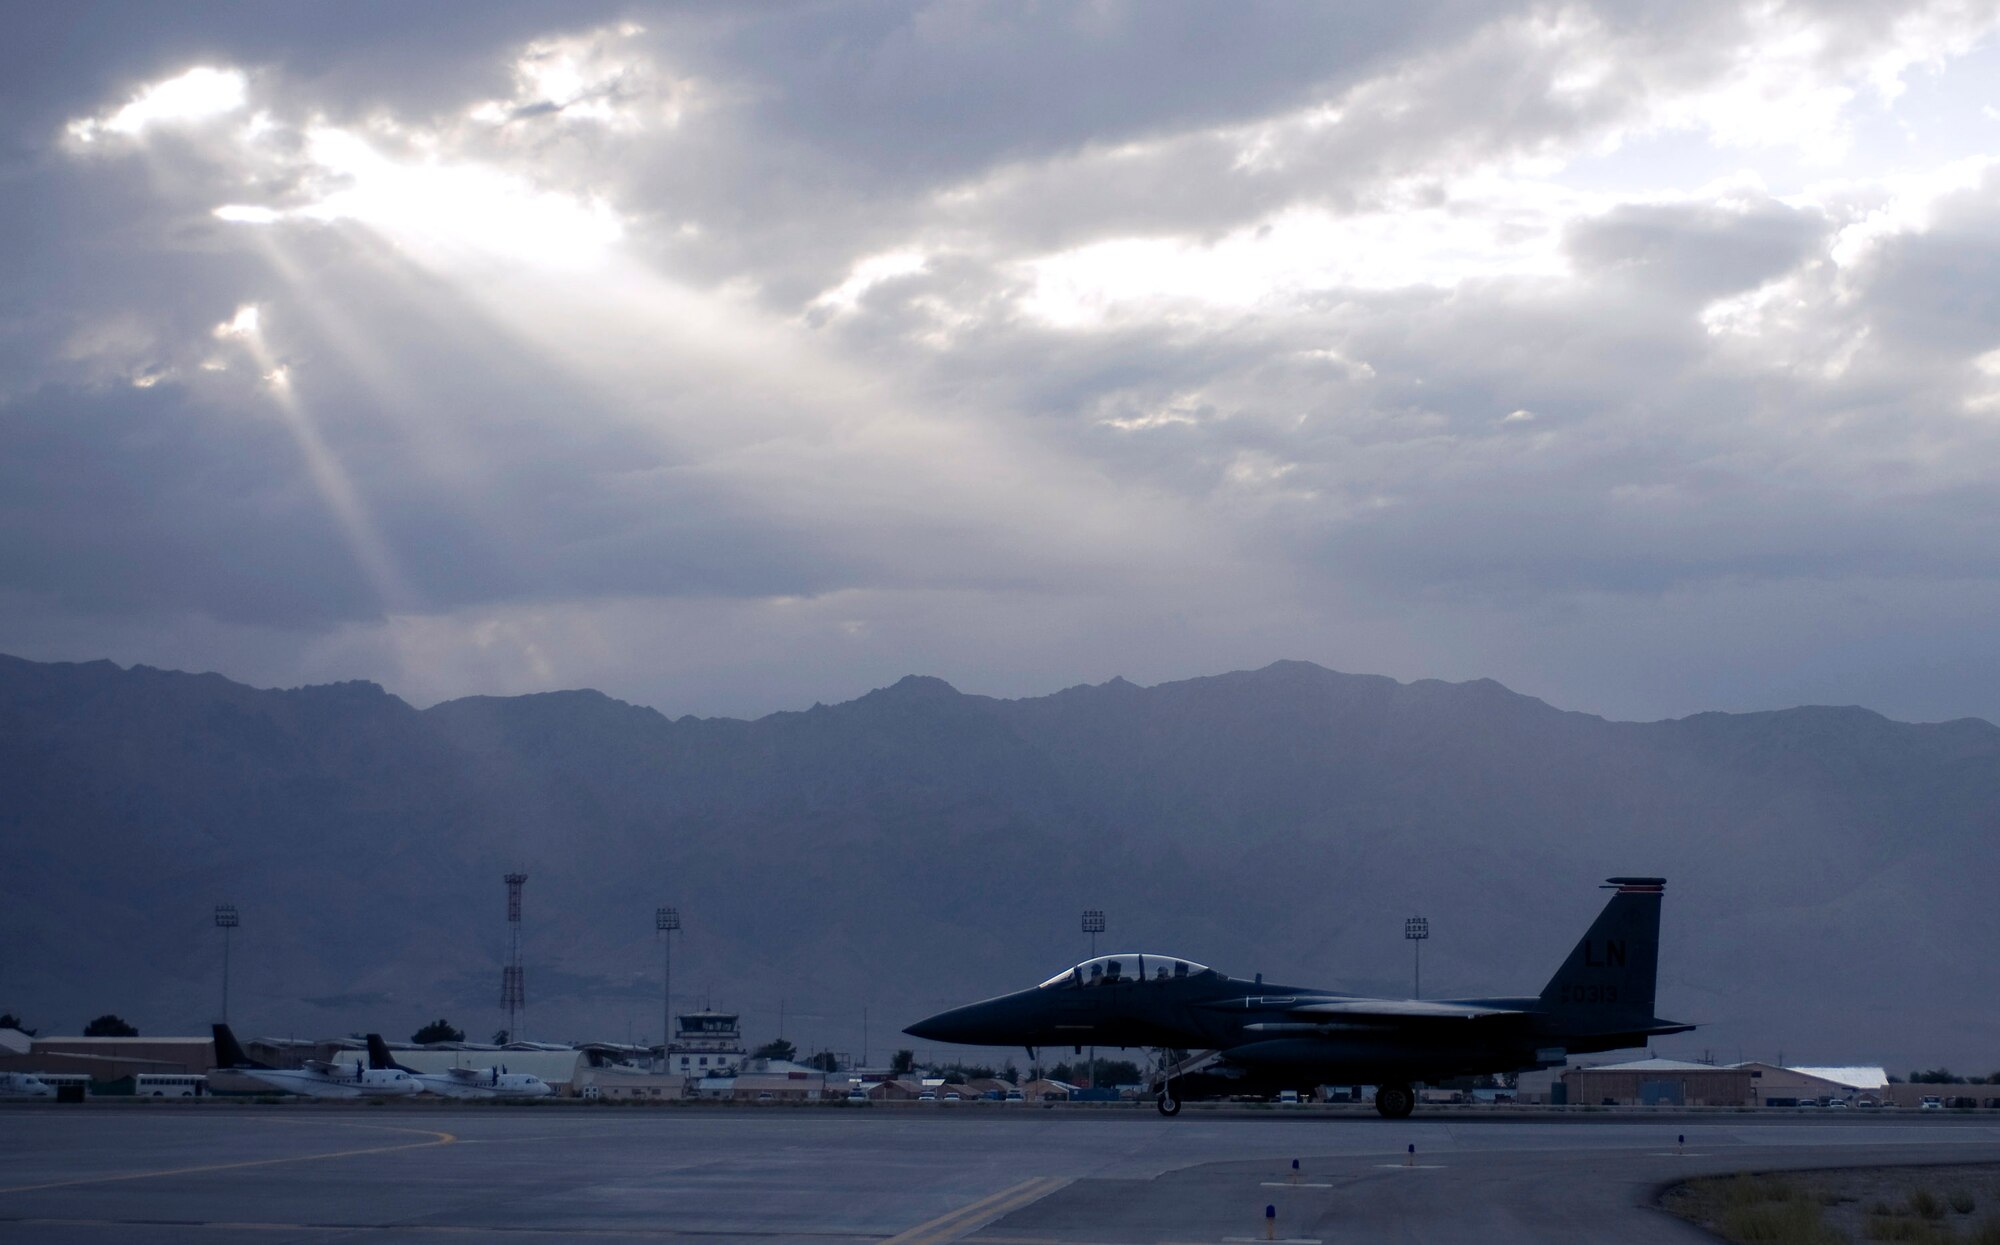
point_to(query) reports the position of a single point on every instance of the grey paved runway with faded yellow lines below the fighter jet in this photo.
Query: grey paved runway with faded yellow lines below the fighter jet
(1001, 1176)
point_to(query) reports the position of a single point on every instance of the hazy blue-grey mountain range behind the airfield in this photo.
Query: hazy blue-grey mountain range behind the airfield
(1831, 874)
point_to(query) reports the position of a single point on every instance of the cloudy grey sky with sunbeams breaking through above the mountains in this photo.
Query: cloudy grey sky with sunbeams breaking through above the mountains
(729, 359)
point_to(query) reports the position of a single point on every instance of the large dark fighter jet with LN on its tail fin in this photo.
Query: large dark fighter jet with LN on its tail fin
(1223, 1036)
